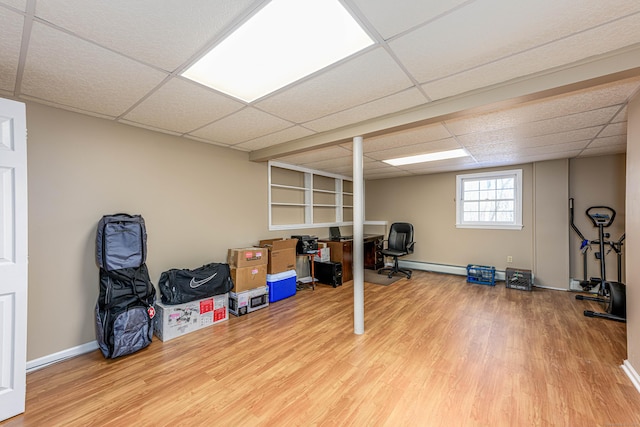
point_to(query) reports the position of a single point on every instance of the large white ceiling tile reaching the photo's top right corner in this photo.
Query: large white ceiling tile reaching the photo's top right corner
(475, 34)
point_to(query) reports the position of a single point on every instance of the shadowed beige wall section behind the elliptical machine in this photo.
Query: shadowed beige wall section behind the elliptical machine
(597, 181)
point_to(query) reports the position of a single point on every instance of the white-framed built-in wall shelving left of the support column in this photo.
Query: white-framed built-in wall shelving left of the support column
(300, 198)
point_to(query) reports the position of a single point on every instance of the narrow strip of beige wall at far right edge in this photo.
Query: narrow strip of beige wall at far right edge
(632, 247)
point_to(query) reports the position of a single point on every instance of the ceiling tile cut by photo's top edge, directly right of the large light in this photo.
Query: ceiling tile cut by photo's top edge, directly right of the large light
(392, 17)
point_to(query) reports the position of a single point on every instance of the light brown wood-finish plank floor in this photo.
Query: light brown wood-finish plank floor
(436, 352)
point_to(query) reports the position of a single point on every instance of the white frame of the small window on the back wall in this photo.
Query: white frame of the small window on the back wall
(516, 224)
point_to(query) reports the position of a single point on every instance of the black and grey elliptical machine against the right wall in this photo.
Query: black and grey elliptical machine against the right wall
(611, 294)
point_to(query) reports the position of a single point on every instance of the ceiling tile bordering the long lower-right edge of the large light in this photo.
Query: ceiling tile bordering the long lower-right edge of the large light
(362, 79)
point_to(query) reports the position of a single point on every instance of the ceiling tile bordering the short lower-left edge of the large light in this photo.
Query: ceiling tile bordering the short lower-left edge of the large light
(182, 106)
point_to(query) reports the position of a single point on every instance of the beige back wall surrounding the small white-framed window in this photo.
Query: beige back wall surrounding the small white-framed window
(428, 202)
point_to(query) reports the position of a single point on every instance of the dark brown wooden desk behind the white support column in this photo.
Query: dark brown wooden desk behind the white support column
(342, 251)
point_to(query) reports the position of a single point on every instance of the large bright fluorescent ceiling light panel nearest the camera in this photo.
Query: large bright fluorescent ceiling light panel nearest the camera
(283, 42)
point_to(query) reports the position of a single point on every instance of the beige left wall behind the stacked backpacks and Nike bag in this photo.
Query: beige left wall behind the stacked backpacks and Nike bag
(198, 200)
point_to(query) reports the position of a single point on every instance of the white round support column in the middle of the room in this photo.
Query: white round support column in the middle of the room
(358, 237)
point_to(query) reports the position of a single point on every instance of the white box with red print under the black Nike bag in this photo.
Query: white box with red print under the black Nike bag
(176, 320)
